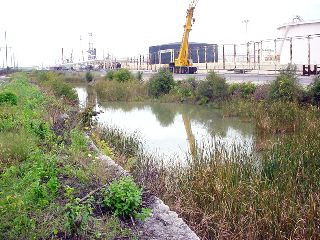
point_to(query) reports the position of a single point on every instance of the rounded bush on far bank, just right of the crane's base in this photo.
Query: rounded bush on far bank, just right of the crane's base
(213, 88)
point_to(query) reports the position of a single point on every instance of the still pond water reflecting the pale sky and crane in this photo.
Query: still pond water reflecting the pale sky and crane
(167, 129)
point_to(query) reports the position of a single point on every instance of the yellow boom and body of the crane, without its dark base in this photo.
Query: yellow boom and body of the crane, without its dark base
(183, 58)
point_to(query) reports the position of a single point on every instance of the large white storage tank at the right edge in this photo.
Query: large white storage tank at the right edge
(301, 44)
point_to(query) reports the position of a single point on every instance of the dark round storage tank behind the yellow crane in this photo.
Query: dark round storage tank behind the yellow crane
(198, 52)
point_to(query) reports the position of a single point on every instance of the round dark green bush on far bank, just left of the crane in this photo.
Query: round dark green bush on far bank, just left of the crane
(161, 83)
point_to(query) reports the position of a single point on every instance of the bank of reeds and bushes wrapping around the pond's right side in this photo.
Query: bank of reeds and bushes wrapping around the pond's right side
(221, 194)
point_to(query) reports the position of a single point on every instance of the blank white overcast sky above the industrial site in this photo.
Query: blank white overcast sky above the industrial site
(38, 29)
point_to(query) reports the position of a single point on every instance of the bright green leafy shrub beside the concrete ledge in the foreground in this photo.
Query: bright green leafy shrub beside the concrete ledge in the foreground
(123, 197)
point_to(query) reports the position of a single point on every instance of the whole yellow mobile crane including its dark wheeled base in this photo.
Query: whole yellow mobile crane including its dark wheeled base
(183, 64)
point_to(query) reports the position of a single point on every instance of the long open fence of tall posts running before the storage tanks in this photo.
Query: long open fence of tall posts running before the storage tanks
(269, 54)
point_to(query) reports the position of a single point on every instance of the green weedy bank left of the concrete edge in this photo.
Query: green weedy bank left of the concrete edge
(47, 170)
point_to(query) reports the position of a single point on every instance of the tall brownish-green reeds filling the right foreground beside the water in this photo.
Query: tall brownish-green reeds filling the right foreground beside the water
(239, 195)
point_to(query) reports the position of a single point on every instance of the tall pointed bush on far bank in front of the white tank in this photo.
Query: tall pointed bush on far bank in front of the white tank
(285, 87)
